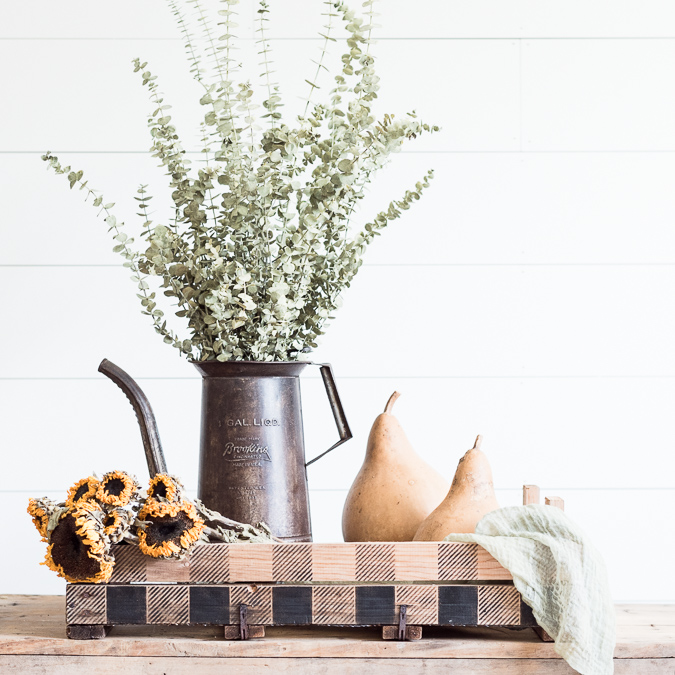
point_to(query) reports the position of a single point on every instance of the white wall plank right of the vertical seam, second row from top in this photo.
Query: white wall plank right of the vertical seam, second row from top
(595, 95)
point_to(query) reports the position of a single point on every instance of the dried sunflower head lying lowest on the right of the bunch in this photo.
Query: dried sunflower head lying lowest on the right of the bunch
(170, 530)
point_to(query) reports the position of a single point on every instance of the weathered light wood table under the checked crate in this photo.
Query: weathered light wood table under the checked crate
(33, 640)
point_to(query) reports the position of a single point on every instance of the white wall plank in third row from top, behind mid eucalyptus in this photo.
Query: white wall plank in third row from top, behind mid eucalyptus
(480, 209)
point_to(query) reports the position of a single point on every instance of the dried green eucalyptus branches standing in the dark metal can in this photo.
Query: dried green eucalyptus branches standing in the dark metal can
(261, 244)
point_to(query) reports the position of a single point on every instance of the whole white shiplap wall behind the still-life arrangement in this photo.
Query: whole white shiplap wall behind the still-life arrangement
(528, 297)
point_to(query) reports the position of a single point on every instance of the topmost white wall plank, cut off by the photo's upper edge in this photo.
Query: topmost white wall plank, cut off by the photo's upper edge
(302, 19)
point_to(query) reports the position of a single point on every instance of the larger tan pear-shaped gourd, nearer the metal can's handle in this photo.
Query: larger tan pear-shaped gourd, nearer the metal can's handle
(394, 491)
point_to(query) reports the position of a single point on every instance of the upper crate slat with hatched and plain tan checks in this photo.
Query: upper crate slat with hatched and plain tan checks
(359, 562)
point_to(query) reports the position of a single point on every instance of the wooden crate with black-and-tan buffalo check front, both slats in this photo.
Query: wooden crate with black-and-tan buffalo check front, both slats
(437, 584)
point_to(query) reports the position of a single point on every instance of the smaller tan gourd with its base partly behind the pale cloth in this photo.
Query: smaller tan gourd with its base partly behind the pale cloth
(471, 496)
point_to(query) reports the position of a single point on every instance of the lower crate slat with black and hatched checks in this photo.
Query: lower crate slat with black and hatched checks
(297, 604)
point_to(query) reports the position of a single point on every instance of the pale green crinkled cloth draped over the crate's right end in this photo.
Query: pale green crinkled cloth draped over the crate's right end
(560, 575)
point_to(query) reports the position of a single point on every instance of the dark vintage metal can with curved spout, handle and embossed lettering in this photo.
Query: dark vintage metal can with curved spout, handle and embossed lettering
(252, 464)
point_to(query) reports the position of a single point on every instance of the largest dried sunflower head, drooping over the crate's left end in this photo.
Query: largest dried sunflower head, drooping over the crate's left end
(79, 549)
